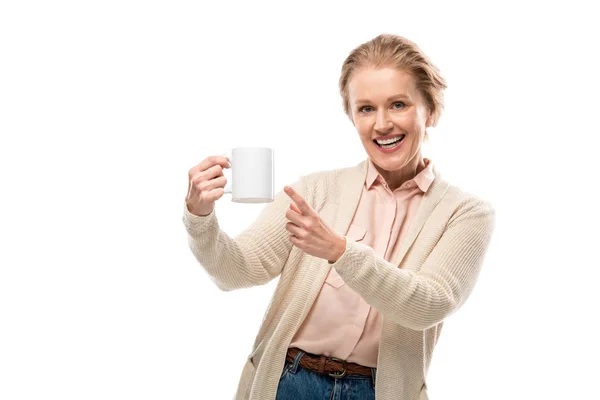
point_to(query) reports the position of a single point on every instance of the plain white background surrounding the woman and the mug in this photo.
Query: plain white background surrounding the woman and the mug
(106, 105)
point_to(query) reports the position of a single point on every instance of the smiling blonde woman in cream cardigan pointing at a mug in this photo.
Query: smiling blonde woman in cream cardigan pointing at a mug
(372, 258)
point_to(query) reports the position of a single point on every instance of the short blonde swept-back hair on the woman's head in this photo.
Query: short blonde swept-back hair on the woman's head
(387, 50)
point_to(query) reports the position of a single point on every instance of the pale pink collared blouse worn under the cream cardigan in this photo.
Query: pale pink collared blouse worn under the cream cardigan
(340, 323)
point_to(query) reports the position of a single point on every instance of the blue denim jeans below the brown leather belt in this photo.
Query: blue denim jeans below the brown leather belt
(298, 383)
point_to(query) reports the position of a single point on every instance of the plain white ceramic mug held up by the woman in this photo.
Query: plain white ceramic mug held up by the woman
(252, 175)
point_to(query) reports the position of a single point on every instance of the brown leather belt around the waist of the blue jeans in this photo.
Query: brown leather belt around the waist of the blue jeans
(332, 366)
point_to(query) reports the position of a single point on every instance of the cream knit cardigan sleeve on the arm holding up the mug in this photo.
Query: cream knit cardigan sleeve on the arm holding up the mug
(253, 257)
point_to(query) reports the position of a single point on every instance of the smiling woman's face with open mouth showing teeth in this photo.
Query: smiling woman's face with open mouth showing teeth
(385, 103)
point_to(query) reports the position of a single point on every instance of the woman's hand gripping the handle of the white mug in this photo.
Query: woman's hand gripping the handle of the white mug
(206, 185)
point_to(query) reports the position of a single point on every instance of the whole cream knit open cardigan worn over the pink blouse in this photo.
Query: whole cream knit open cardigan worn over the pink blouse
(434, 273)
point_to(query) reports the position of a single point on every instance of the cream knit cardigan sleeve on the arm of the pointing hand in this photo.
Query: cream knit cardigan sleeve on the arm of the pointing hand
(446, 279)
